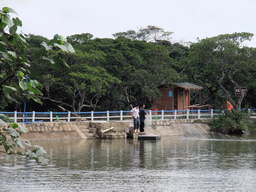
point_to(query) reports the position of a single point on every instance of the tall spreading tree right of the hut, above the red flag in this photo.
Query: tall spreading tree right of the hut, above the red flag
(222, 63)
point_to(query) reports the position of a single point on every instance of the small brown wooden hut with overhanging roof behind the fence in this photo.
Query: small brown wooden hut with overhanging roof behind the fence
(175, 96)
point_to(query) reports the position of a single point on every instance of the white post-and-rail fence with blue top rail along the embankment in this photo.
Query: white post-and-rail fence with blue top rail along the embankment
(31, 117)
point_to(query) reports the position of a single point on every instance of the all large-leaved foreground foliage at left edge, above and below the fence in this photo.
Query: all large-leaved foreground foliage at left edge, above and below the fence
(16, 78)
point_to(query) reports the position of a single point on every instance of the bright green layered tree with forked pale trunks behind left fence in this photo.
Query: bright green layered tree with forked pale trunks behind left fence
(82, 86)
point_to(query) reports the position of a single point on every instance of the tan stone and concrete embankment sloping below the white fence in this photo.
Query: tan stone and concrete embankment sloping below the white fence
(78, 130)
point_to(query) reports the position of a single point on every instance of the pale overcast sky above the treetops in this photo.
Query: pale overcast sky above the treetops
(188, 19)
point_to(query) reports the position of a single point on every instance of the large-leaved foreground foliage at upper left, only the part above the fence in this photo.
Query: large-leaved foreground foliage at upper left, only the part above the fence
(15, 86)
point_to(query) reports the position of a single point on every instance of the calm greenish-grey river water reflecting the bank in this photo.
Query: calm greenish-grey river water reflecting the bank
(171, 164)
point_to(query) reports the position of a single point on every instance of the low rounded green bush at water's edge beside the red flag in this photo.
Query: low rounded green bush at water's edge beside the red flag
(232, 122)
